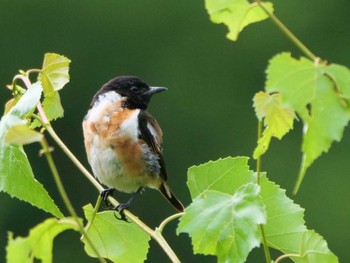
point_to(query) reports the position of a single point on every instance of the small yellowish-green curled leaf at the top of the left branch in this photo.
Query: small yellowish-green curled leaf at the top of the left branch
(54, 74)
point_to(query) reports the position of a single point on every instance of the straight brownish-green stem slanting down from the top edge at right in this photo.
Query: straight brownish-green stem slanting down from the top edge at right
(287, 32)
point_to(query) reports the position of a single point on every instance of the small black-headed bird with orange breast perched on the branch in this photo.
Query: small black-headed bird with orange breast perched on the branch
(123, 140)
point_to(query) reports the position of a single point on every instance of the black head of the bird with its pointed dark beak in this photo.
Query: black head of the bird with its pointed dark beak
(136, 92)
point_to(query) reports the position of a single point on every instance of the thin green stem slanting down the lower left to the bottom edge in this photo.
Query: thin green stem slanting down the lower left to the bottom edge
(46, 150)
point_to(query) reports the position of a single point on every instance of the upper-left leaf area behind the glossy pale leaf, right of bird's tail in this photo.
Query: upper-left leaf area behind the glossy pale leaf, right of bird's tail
(224, 175)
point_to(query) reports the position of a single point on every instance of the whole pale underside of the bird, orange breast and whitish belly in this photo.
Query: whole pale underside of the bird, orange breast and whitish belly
(117, 158)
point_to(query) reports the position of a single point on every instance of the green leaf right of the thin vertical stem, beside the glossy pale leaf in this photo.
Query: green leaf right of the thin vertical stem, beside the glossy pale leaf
(285, 220)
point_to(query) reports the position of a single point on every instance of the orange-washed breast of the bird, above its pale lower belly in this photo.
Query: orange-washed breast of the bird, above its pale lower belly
(114, 128)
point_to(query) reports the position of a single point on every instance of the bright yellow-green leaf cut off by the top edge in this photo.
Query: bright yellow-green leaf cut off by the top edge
(236, 15)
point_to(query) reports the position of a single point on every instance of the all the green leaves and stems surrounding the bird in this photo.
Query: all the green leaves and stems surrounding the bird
(234, 208)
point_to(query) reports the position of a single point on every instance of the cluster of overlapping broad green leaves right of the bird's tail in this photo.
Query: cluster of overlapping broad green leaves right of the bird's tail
(232, 215)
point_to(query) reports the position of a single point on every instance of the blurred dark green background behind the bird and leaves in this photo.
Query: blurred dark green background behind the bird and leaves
(206, 113)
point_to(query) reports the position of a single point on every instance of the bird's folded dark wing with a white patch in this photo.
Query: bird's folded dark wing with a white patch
(152, 134)
